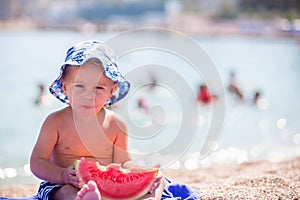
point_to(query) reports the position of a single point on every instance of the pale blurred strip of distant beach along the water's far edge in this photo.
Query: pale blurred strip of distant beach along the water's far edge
(190, 25)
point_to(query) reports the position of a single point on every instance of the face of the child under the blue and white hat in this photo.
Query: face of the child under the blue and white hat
(86, 89)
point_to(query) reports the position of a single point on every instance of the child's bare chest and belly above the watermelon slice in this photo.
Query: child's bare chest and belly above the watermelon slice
(85, 140)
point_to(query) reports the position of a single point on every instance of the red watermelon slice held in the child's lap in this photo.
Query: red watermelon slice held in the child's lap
(116, 182)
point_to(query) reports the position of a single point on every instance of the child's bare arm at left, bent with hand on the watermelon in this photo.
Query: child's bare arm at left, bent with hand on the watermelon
(40, 158)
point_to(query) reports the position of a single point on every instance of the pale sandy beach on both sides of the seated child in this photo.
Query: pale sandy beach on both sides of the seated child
(252, 180)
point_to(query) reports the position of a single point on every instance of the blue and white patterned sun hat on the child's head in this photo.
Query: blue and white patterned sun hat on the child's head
(81, 52)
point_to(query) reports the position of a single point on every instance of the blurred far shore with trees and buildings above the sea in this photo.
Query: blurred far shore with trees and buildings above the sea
(275, 18)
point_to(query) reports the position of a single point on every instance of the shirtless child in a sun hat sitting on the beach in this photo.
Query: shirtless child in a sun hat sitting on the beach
(89, 81)
